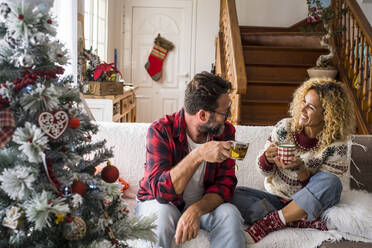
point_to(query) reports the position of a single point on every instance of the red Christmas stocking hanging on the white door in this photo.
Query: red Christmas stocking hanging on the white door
(157, 56)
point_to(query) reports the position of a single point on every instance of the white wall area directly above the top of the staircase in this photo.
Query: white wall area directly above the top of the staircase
(272, 13)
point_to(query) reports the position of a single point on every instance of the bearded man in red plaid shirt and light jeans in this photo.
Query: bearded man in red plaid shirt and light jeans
(189, 176)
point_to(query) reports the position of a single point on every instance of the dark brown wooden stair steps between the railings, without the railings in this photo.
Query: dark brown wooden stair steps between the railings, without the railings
(276, 60)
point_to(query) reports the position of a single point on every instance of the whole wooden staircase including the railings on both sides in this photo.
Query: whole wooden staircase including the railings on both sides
(266, 64)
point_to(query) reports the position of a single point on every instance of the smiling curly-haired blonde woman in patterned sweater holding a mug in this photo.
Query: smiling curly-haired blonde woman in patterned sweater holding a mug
(308, 182)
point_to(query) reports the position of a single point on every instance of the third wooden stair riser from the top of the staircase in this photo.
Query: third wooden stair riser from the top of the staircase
(276, 73)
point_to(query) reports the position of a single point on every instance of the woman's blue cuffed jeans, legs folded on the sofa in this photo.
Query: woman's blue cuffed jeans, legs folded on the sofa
(323, 191)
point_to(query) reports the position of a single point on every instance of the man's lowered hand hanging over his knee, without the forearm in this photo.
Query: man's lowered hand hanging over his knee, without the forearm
(188, 225)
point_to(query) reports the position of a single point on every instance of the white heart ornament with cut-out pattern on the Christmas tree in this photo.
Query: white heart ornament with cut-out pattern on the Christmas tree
(53, 125)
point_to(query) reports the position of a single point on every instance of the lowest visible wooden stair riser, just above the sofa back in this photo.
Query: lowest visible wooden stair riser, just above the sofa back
(264, 111)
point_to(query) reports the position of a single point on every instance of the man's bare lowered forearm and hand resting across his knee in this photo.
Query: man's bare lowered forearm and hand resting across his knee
(189, 223)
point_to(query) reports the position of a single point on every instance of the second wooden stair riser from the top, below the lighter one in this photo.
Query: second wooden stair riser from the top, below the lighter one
(281, 55)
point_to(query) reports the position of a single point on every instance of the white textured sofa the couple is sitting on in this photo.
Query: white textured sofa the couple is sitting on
(129, 139)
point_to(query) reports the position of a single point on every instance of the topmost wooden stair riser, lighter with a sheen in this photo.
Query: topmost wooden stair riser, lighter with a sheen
(280, 40)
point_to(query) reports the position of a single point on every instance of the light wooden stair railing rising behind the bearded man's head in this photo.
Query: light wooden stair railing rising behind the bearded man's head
(229, 56)
